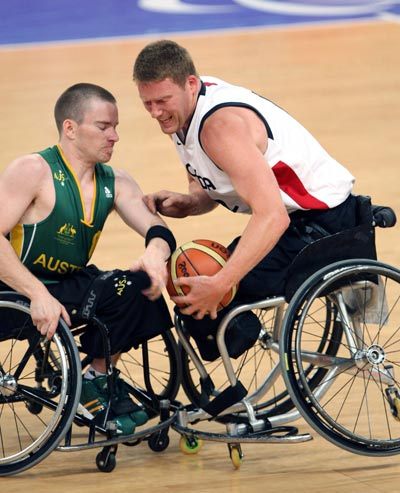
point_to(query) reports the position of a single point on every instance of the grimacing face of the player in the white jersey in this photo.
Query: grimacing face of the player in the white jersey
(169, 103)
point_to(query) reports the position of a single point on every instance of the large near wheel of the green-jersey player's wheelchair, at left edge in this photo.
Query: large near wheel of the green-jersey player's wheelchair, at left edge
(40, 384)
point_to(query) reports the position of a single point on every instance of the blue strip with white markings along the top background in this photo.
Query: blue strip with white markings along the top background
(33, 21)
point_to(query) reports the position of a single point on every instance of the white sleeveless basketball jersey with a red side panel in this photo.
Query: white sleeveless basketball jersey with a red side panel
(308, 177)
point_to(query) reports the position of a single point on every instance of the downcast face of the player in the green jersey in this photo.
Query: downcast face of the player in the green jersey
(96, 135)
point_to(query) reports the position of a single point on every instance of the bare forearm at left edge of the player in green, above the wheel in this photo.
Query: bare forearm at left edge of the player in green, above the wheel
(15, 274)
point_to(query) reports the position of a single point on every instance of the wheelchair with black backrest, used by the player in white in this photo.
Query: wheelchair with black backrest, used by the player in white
(327, 350)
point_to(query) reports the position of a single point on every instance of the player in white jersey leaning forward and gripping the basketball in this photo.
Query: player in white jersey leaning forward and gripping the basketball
(245, 153)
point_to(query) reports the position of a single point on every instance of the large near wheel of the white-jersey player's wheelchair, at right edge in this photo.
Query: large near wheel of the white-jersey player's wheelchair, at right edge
(356, 403)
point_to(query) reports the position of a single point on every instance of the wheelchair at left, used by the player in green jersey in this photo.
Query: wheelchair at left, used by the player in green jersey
(40, 387)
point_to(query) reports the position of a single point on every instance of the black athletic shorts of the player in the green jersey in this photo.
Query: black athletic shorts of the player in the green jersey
(130, 317)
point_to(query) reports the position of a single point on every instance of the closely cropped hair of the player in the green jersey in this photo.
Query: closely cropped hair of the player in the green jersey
(72, 102)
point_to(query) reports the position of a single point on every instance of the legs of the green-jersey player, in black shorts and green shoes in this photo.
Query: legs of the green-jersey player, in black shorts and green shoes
(116, 299)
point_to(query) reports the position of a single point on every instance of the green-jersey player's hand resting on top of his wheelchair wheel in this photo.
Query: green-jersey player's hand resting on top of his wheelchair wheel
(46, 312)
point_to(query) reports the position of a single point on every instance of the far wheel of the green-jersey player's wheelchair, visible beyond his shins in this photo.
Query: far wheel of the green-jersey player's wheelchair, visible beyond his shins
(154, 366)
